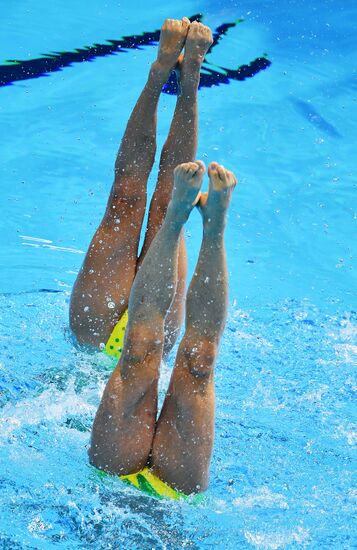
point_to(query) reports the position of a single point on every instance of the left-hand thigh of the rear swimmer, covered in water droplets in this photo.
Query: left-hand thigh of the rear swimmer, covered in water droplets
(101, 292)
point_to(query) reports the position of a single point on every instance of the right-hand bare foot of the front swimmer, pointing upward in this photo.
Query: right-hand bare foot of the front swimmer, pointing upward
(214, 204)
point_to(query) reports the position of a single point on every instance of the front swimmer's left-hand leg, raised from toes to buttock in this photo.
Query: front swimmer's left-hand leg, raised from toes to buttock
(124, 426)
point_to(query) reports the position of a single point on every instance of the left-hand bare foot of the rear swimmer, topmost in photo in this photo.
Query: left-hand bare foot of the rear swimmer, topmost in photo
(172, 39)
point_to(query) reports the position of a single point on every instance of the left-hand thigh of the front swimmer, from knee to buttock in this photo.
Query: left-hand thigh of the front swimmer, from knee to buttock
(124, 425)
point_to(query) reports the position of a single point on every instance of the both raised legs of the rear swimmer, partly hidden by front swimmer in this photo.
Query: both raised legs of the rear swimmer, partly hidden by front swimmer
(101, 292)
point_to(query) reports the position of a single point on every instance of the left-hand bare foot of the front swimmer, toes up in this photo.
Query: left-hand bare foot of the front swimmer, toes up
(186, 190)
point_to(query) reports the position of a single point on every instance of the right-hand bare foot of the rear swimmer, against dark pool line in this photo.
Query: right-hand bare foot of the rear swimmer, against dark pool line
(199, 39)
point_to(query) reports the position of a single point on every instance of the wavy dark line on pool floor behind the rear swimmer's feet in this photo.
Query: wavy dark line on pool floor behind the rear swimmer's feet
(17, 70)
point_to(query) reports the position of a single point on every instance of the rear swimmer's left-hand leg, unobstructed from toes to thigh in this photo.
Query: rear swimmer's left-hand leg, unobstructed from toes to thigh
(101, 291)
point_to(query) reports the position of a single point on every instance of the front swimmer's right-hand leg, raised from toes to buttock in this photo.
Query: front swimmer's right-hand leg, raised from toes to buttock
(184, 435)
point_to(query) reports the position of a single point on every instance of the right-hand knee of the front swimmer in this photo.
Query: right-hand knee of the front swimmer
(200, 357)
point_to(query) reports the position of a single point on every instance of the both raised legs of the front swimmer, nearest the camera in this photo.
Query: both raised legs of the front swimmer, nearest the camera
(126, 434)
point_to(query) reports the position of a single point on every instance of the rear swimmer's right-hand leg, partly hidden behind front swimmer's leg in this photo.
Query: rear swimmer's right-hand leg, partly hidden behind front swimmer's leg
(180, 146)
